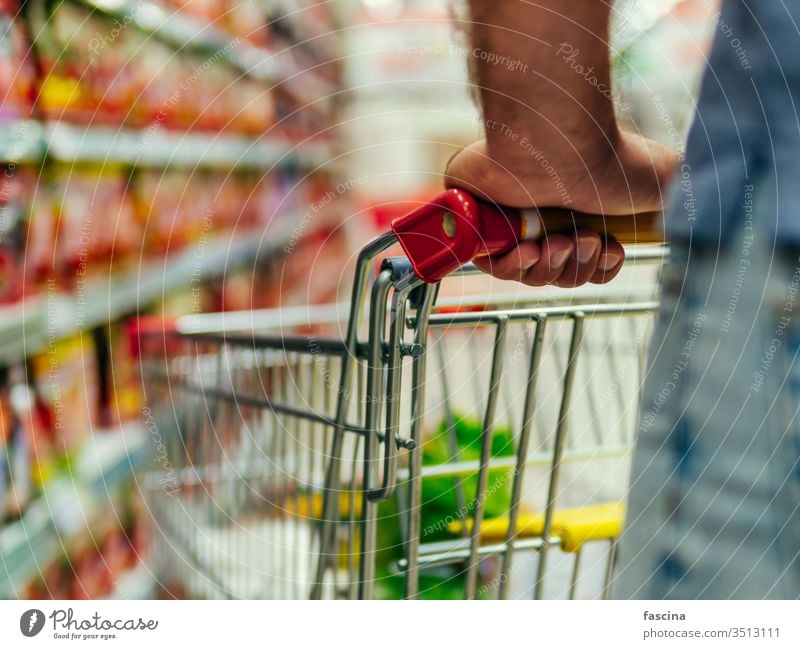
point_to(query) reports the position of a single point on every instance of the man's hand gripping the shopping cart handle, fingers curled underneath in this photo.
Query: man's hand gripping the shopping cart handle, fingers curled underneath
(628, 176)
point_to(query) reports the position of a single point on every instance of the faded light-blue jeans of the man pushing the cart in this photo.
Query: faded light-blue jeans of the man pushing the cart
(715, 484)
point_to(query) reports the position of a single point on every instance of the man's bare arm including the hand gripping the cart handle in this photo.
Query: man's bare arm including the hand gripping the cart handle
(542, 69)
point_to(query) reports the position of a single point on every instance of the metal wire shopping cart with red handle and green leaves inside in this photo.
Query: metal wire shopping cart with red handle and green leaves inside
(404, 446)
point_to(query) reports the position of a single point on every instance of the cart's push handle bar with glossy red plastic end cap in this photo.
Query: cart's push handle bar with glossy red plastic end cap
(455, 227)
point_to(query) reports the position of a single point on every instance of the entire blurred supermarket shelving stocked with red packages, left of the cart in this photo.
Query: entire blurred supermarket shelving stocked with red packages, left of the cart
(154, 158)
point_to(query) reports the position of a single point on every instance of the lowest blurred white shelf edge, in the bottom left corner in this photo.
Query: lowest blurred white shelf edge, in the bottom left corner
(68, 505)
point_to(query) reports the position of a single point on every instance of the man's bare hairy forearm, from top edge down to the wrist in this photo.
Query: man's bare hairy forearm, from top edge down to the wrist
(543, 74)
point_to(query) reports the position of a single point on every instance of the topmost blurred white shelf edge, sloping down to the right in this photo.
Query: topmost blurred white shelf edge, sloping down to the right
(183, 32)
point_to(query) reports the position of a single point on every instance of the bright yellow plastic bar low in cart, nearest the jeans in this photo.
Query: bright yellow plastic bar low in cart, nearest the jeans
(574, 527)
